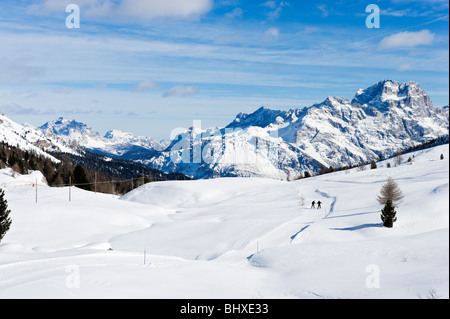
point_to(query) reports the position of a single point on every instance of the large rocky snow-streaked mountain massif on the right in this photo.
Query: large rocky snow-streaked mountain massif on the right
(381, 120)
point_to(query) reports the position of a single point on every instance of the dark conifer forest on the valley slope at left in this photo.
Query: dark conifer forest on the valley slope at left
(90, 172)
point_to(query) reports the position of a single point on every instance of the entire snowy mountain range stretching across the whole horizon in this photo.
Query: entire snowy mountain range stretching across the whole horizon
(379, 121)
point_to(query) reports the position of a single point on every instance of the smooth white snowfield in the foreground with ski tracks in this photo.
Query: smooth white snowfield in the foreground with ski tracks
(232, 238)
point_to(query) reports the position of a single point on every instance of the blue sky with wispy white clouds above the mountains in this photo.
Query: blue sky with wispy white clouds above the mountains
(150, 66)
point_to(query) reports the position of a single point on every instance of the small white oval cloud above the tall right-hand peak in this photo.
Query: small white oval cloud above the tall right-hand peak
(407, 39)
